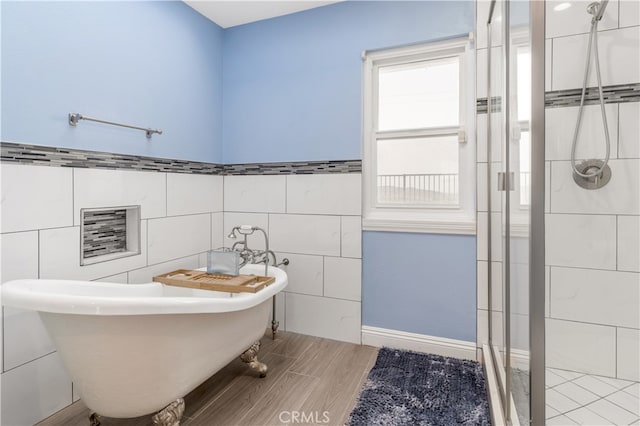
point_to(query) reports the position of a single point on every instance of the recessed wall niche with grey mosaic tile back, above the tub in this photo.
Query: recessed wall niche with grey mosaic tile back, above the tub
(109, 233)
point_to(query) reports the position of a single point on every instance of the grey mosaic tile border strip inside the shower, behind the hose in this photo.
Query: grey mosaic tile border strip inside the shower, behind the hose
(571, 98)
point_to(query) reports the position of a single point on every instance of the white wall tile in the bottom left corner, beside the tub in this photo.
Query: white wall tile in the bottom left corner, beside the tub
(34, 391)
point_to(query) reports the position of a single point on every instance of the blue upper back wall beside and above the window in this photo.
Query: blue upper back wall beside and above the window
(292, 85)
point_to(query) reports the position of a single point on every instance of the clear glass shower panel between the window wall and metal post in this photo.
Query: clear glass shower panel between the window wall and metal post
(509, 168)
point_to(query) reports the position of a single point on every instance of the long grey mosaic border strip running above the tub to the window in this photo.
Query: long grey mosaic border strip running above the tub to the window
(64, 157)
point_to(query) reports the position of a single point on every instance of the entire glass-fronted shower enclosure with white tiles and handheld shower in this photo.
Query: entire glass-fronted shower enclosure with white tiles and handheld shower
(563, 303)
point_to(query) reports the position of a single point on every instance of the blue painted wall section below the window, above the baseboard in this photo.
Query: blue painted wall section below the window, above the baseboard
(420, 283)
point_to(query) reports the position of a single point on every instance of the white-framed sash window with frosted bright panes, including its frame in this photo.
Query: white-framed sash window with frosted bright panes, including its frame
(418, 162)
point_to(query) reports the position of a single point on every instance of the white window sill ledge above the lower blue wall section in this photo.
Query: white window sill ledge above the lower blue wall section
(455, 225)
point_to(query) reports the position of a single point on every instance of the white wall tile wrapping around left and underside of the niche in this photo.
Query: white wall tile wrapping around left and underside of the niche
(59, 255)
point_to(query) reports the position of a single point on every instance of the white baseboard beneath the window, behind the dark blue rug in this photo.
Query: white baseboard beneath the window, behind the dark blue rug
(461, 349)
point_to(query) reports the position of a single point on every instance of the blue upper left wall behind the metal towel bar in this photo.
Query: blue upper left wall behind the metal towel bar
(148, 63)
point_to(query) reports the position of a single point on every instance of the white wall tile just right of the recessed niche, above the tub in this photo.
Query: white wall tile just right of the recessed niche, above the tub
(178, 236)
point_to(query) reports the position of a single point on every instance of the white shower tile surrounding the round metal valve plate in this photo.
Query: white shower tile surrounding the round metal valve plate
(619, 196)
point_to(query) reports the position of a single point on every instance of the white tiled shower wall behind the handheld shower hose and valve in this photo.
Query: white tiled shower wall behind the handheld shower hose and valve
(593, 299)
